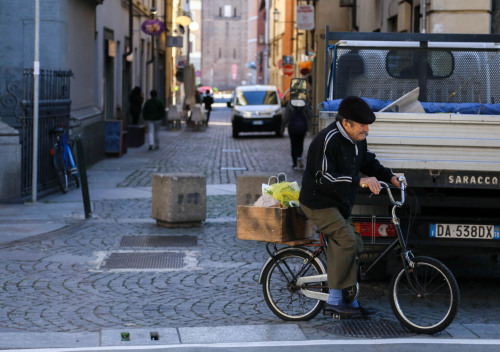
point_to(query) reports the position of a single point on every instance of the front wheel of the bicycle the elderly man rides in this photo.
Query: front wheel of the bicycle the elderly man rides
(425, 299)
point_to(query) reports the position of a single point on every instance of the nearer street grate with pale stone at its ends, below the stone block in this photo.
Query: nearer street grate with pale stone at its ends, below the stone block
(144, 260)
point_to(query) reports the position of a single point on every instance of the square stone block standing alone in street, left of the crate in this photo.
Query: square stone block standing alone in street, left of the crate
(179, 199)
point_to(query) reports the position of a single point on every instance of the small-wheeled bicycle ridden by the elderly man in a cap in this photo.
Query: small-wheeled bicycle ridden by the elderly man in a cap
(424, 294)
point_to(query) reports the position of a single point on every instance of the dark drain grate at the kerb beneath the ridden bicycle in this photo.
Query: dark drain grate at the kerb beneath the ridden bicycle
(374, 329)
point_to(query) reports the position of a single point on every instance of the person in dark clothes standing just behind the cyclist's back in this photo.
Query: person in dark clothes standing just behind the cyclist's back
(297, 119)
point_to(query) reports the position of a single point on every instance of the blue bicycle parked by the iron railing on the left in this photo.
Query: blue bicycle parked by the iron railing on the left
(62, 159)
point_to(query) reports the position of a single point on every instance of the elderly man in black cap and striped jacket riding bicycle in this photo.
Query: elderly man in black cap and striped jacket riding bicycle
(336, 158)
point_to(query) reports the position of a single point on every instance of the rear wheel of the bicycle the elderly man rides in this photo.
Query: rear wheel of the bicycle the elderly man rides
(282, 296)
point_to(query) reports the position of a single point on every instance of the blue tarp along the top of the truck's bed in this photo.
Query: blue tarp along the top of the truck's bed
(433, 108)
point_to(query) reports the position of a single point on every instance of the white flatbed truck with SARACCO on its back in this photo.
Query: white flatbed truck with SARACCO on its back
(437, 103)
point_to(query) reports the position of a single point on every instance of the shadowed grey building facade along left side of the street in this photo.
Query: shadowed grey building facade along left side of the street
(91, 54)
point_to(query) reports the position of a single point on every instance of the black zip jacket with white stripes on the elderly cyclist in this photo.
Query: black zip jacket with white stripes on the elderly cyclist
(334, 163)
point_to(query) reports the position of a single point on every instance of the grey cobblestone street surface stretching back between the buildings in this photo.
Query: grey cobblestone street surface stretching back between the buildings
(57, 281)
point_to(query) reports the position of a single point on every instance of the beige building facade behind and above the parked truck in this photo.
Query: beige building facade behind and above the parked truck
(414, 16)
